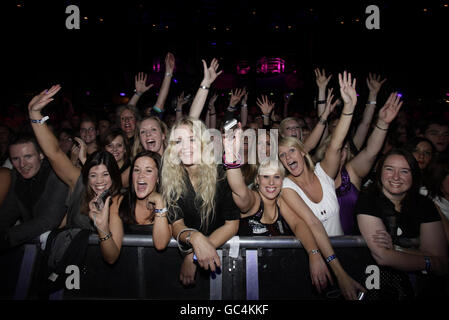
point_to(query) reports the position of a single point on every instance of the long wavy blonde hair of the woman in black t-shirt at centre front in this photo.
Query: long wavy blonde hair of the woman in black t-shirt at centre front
(174, 174)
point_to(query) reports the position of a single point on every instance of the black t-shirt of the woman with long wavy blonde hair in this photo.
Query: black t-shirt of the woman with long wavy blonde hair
(225, 208)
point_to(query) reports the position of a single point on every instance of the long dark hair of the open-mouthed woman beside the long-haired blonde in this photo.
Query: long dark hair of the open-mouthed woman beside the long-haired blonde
(127, 209)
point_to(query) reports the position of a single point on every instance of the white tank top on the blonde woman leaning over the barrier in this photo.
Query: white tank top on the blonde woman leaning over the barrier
(327, 210)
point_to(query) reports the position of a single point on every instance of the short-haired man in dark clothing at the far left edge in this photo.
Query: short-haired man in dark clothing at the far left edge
(36, 197)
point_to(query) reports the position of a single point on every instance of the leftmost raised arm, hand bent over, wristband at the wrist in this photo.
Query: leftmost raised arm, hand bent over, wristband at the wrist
(59, 161)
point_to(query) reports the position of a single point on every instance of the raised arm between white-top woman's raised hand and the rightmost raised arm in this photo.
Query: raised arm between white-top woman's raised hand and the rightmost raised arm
(374, 84)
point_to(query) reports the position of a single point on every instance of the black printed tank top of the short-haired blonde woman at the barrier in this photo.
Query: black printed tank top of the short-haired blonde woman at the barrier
(252, 226)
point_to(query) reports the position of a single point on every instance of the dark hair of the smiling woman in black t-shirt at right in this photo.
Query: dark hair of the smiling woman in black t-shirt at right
(410, 198)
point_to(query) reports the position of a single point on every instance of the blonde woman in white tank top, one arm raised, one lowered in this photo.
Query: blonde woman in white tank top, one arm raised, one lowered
(310, 189)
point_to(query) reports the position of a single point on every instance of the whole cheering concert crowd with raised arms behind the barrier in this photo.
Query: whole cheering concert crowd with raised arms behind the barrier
(203, 175)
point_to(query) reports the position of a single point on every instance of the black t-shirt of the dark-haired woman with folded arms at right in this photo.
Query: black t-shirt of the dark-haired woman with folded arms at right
(409, 222)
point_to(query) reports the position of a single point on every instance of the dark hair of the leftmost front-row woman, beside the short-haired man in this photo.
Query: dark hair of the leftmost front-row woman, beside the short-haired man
(95, 159)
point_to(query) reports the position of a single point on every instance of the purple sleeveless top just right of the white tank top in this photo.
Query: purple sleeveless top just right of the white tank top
(347, 195)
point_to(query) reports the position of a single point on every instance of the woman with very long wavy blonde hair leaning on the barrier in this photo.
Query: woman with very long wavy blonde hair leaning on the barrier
(198, 197)
